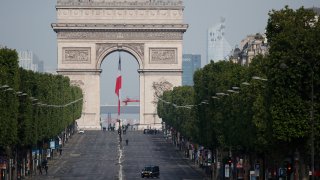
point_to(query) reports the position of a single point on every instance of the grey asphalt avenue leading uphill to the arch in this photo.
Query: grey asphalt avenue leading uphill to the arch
(97, 155)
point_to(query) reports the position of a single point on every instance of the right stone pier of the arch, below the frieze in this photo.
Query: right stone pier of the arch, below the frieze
(162, 71)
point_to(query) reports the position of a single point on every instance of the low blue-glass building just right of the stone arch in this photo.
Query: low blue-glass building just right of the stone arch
(190, 63)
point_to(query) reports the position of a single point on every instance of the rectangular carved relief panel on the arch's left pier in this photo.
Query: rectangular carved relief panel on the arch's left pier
(76, 55)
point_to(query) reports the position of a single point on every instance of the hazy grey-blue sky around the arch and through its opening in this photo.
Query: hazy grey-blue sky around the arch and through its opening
(26, 25)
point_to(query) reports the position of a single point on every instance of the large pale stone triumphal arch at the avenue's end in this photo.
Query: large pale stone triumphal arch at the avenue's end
(150, 30)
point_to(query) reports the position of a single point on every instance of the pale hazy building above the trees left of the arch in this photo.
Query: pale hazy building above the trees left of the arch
(29, 61)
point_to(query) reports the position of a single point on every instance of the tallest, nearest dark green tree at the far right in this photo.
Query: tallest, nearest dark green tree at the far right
(294, 53)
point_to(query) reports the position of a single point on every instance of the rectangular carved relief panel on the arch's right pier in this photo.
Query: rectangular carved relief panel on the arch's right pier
(163, 56)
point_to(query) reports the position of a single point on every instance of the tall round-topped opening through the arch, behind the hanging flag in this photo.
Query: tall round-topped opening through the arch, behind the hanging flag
(129, 113)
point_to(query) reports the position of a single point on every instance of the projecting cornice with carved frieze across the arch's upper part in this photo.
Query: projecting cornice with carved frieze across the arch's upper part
(119, 32)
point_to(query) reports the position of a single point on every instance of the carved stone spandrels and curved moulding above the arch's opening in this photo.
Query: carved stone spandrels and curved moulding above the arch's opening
(103, 49)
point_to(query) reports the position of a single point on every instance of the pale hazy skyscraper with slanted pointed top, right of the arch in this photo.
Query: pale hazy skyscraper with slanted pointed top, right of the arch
(218, 47)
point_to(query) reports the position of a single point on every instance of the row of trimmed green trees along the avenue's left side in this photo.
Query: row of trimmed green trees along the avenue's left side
(34, 107)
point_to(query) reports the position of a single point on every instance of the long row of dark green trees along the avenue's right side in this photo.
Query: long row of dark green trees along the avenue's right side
(264, 109)
